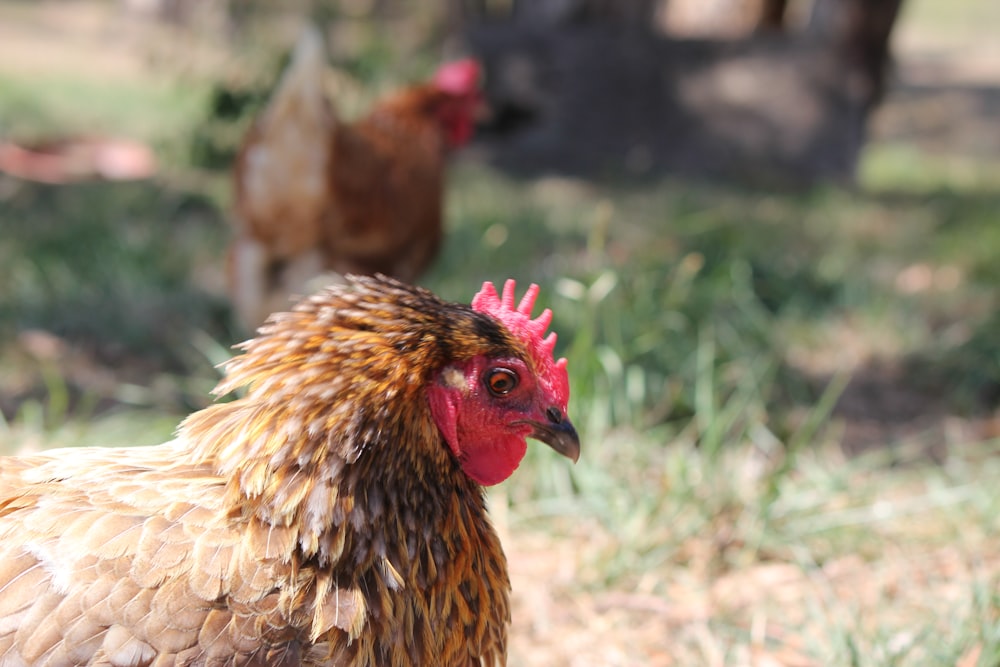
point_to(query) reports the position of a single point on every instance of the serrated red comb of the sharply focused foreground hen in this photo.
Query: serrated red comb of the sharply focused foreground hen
(531, 331)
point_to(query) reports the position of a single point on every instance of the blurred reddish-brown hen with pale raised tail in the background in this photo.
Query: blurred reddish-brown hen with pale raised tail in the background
(315, 194)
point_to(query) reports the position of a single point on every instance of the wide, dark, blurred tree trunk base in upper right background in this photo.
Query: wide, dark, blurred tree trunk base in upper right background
(598, 86)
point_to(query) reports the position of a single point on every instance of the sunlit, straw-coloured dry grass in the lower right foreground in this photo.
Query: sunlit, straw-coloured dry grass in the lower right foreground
(860, 565)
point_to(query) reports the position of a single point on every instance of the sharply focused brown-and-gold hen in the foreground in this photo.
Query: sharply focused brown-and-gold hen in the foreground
(332, 515)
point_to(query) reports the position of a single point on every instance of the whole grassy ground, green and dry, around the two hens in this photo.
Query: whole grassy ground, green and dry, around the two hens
(713, 334)
